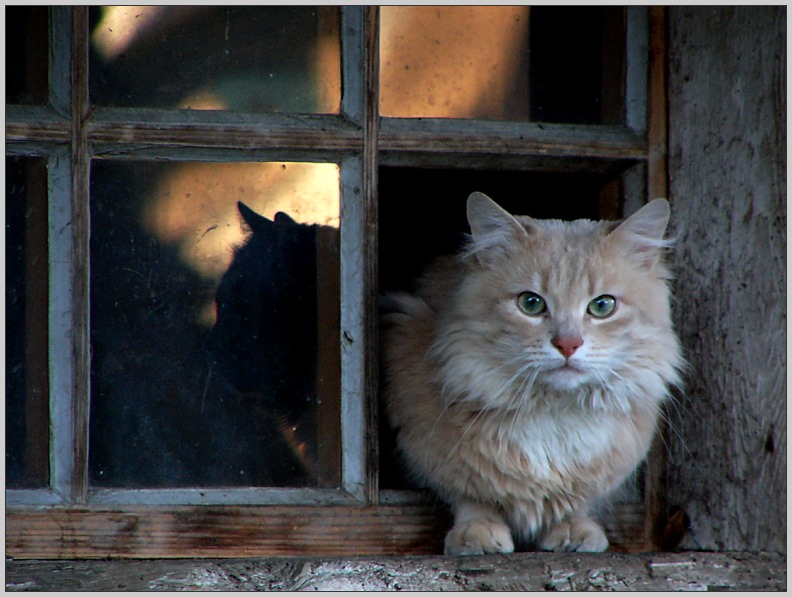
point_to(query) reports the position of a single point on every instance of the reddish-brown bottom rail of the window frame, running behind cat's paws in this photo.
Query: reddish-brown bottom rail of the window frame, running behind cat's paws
(250, 531)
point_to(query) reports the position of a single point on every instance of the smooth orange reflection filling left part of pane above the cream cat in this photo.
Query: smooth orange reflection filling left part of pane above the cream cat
(454, 61)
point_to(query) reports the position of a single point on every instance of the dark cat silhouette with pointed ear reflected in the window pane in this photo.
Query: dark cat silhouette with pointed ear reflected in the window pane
(263, 344)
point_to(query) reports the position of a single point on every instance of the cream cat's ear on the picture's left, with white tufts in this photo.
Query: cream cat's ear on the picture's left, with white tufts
(492, 228)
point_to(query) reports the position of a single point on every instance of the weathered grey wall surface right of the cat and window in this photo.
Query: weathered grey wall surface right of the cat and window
(727, 167)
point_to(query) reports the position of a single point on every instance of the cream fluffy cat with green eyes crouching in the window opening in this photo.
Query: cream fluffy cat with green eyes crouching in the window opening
(525, 377)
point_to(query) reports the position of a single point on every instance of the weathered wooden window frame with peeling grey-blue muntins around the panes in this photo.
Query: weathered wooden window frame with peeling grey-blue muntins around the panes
(71, 520)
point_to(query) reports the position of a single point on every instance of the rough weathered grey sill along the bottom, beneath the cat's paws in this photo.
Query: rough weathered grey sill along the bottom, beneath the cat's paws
(698, 571)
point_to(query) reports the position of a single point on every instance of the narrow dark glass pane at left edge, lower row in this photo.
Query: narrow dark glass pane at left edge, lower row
(26, 299)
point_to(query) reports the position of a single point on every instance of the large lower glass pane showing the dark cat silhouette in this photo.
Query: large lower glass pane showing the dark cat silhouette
(214, 329)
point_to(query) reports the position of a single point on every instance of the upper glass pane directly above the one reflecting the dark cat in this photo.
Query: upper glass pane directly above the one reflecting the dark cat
(268, 59)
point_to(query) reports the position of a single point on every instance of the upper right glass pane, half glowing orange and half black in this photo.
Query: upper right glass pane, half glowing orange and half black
(516, 63)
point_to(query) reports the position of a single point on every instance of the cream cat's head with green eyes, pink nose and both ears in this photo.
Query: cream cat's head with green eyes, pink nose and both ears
(568, 305)
